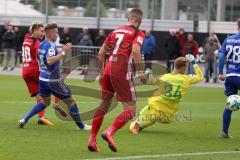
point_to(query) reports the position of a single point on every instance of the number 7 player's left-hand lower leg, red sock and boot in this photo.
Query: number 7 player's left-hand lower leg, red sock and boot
(96, 124)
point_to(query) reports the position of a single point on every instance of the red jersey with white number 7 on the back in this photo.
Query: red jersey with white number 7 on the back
(119, 44)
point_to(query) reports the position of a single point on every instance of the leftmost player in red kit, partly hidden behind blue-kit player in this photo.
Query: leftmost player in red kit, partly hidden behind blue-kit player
(30, 67)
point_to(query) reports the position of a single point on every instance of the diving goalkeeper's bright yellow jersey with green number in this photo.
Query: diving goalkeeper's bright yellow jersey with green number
(178, 85)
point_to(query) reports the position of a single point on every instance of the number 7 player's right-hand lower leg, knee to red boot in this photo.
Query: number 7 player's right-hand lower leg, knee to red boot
(122, 119)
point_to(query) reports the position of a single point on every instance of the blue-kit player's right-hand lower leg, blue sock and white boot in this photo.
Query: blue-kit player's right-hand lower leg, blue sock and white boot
(74, 113)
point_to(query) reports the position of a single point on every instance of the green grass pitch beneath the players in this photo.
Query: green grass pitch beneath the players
(196, 129)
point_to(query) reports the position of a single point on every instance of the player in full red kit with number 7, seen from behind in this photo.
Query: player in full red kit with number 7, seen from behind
(124, 45)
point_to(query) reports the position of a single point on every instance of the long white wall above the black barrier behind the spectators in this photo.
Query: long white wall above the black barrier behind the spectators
(111, 23)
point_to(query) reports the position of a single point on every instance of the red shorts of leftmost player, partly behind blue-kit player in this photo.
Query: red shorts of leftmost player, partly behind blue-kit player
(31, 80)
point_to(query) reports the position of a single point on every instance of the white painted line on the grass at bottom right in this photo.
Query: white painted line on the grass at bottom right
(166, 155)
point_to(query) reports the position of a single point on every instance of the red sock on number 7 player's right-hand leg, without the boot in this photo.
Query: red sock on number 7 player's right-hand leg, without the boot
(121, 120)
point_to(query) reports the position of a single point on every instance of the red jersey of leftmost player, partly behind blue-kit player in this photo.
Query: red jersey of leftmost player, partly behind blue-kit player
(29, 55)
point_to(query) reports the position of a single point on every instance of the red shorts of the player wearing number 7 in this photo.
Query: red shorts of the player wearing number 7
(124, 89)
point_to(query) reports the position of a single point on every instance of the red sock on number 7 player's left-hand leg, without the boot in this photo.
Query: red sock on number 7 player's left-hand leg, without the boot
(97, 121)
